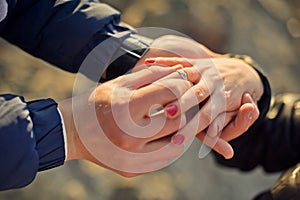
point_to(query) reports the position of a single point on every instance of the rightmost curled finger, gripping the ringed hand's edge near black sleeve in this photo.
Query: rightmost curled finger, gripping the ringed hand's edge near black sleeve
(246, 116)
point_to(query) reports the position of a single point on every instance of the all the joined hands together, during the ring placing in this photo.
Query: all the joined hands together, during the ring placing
(139, 122)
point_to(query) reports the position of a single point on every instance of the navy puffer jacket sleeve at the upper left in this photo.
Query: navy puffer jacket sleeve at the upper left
(61, 32)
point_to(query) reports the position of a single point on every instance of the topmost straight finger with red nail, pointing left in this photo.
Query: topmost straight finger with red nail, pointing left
(168, 61)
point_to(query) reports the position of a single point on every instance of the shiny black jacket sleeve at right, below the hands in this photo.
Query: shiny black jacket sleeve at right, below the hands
(272, 142)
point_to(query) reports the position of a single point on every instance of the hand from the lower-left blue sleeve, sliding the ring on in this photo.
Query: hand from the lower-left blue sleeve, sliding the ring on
(113, 124)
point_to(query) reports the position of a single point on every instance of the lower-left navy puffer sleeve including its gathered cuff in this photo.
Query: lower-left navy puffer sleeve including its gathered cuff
(31, 139)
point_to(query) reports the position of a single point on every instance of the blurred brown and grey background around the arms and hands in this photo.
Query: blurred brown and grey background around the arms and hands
(268, 30)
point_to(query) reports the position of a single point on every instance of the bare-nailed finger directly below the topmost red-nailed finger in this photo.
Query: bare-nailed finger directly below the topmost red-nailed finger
(145, 77)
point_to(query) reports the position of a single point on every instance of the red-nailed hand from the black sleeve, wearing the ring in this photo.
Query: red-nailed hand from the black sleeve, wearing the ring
(219, 86)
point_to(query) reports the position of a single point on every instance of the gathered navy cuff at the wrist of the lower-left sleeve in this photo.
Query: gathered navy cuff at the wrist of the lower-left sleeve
(48, 132)
